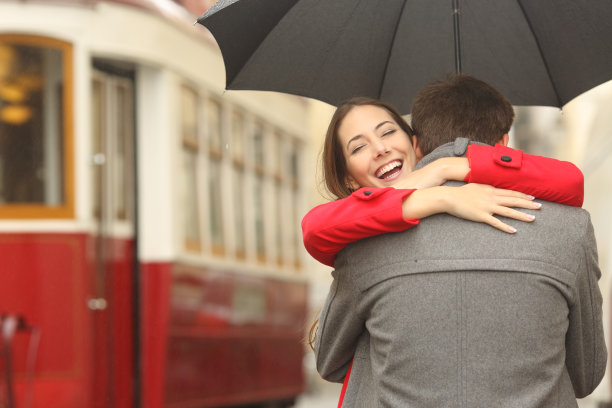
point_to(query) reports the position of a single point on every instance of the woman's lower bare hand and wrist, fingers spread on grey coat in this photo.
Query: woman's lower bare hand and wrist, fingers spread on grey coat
(474, 202)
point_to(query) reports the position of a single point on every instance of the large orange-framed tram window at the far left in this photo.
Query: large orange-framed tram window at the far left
(35, 108)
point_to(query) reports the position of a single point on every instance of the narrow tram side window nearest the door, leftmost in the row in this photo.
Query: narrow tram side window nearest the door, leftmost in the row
(189, 131)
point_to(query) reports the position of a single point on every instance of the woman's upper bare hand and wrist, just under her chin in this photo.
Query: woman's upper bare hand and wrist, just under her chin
(436, 173)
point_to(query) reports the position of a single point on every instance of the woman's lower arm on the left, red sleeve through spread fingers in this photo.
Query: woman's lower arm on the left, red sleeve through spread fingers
(329, 227)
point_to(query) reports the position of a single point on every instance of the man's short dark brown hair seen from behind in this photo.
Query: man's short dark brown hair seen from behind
(460, 106)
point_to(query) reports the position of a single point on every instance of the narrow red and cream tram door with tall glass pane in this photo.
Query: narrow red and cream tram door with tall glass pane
(113, 192)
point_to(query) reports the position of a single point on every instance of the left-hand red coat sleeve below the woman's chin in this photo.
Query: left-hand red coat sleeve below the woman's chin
(328, 228)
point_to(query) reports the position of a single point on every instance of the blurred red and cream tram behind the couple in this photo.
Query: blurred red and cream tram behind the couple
(150, 252)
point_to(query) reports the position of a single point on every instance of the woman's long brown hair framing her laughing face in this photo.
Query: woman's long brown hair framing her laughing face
(335, 172)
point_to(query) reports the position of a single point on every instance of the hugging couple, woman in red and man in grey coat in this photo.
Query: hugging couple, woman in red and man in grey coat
(453, 312)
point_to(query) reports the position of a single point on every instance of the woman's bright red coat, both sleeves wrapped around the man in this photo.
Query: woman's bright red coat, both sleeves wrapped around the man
(329, 227)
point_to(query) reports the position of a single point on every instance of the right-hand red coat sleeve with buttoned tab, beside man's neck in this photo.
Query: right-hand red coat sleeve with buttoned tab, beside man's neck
(541, 177)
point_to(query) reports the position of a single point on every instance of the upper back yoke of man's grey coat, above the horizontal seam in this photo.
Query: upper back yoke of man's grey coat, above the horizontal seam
(555, 240)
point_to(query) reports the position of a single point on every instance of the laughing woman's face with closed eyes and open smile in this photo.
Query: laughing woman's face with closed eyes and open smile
(378, 152)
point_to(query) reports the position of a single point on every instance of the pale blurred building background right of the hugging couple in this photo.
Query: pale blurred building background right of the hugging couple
(580, 133)
